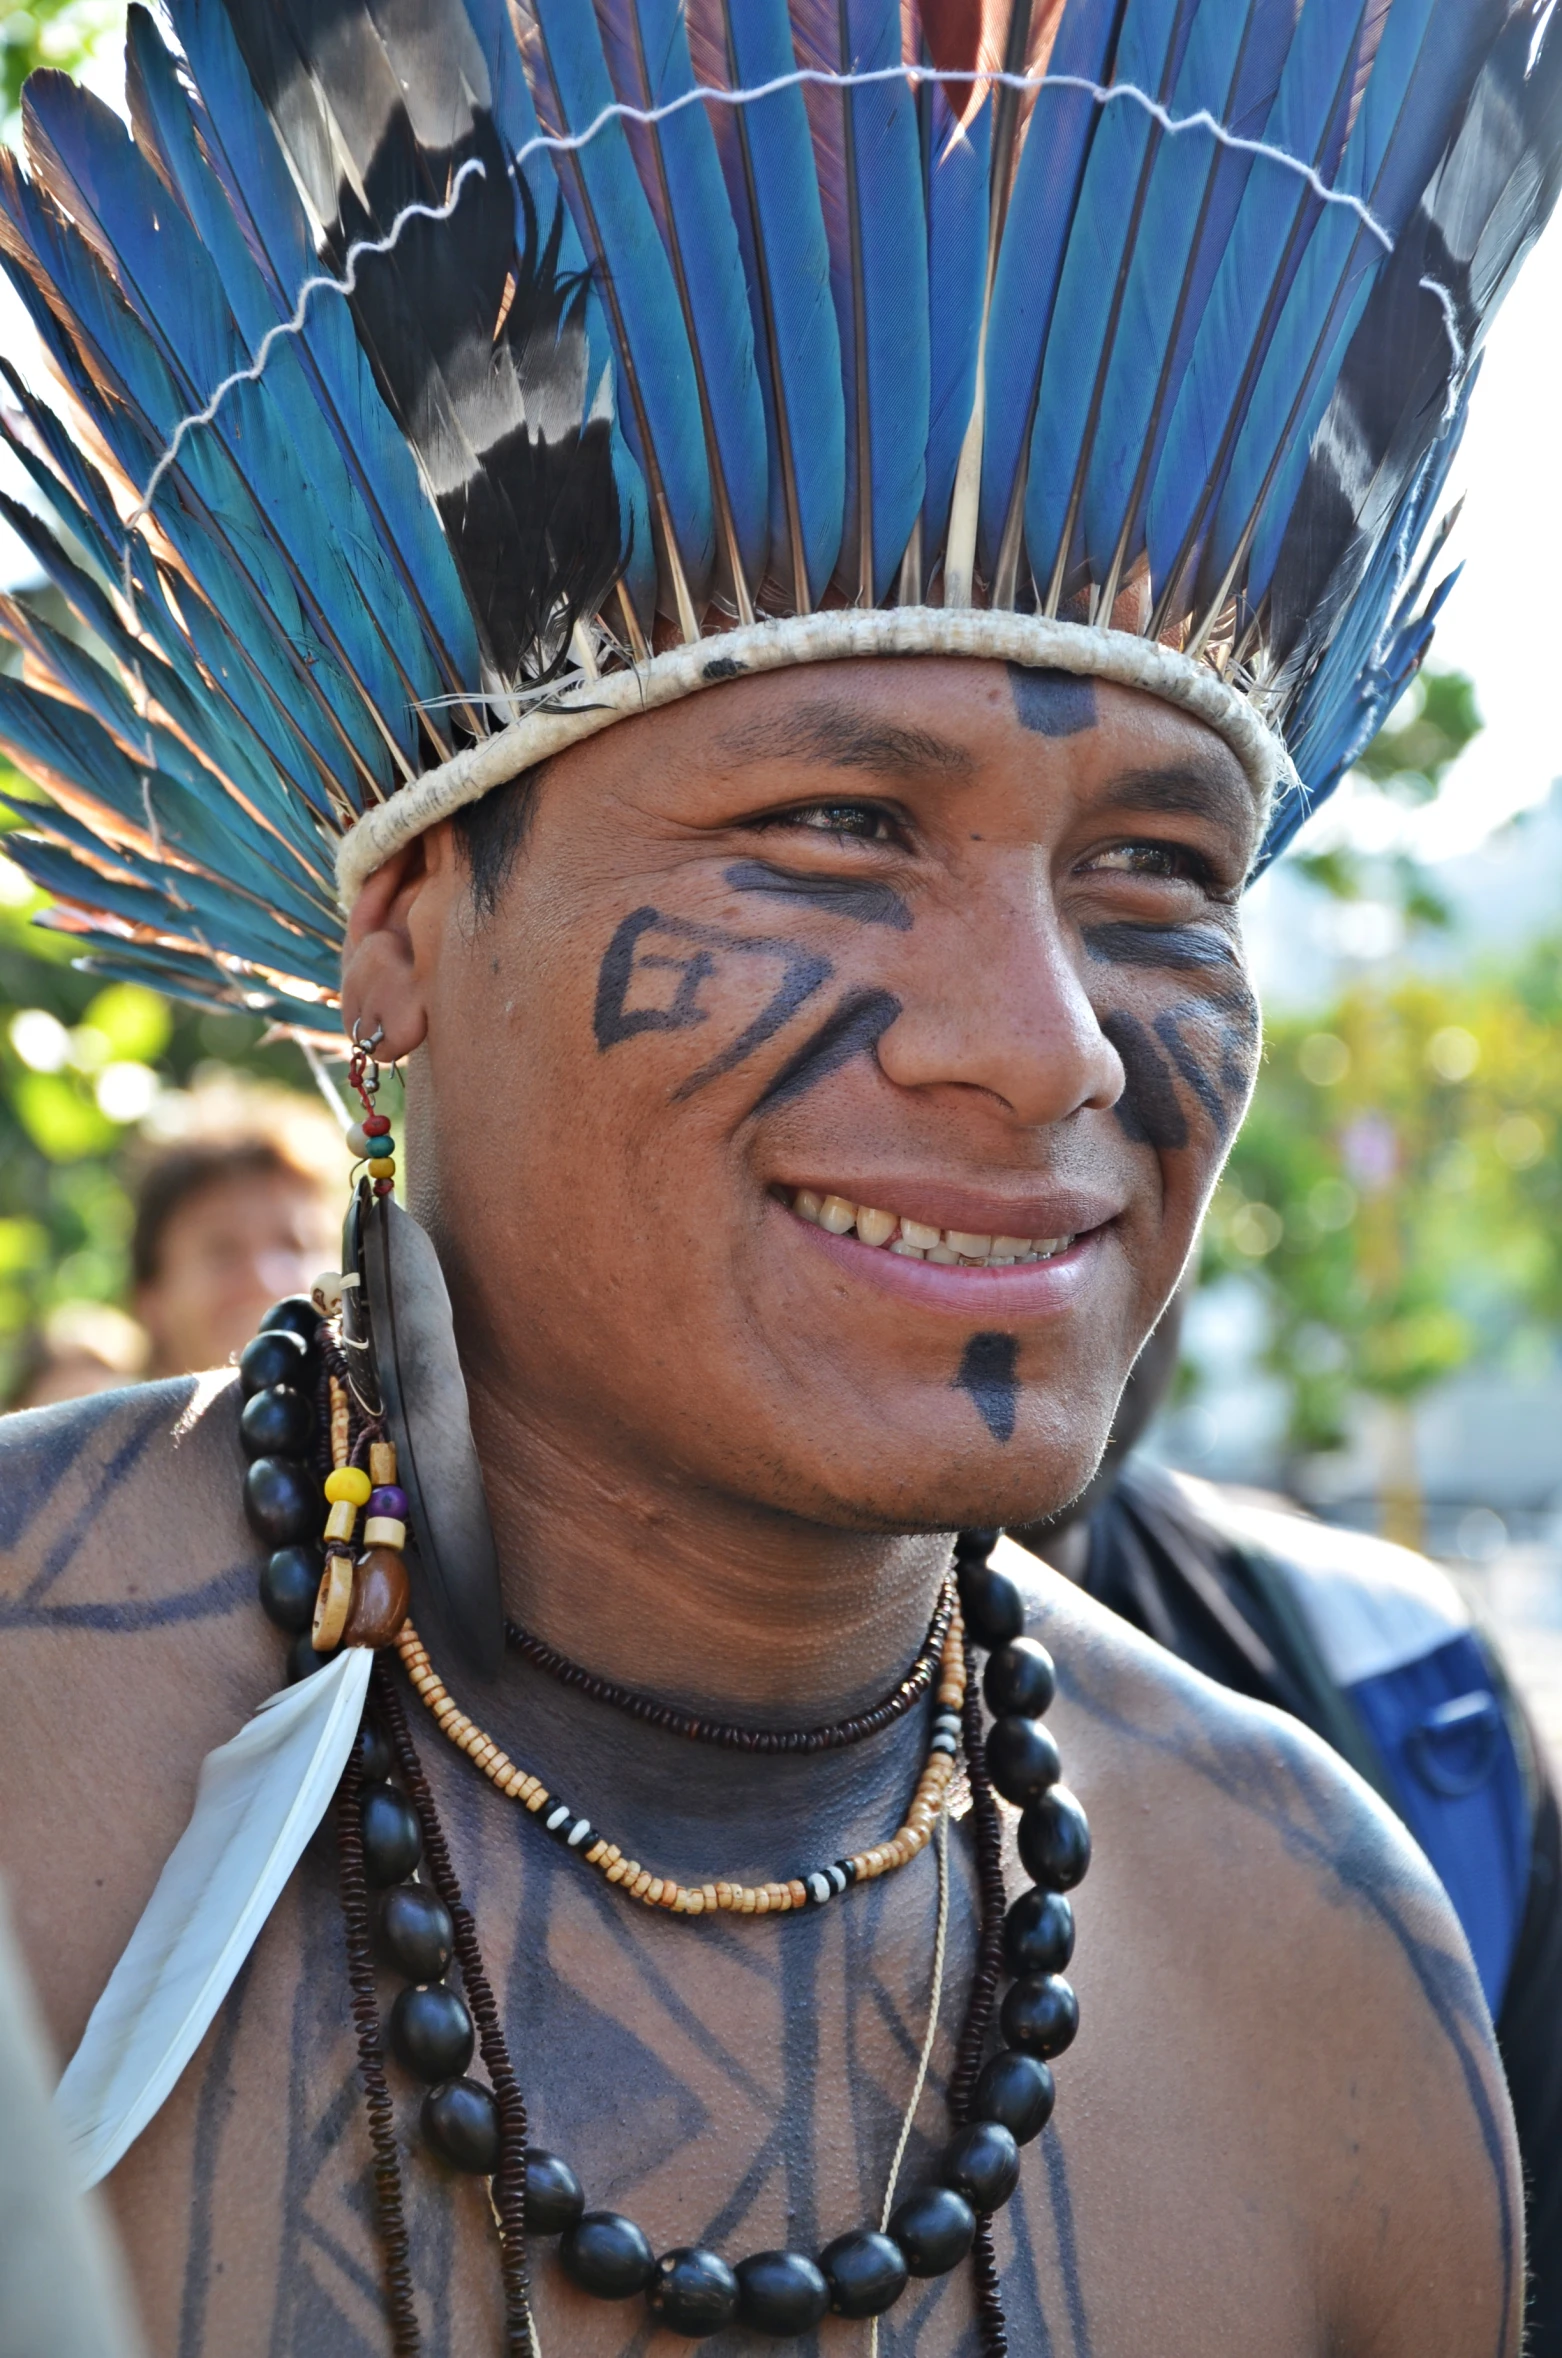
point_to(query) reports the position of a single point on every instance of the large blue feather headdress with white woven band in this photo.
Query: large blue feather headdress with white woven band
(426, 364)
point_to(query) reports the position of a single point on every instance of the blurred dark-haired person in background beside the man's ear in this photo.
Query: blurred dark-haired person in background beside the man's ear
(237, 1201)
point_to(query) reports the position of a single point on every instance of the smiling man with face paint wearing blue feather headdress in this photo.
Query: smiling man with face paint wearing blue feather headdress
(792, 850)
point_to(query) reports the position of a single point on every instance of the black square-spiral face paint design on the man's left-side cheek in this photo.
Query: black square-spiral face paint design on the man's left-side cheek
(648, 947)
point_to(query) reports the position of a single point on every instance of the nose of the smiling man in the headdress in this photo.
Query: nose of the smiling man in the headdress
(1002, 1008)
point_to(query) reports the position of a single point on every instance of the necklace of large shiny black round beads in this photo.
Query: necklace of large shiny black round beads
(390, 1833)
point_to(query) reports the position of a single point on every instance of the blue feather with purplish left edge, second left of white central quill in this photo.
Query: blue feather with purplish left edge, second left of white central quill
(867, 164)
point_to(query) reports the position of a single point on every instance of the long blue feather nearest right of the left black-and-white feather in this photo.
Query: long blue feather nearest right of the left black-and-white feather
(657, 378)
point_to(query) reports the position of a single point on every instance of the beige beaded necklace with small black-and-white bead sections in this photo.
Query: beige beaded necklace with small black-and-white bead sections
(721, 1897)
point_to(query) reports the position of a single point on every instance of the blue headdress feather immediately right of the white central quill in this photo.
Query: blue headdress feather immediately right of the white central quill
(1030, 263)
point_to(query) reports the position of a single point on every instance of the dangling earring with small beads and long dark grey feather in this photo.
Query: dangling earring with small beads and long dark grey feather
(400, 1343)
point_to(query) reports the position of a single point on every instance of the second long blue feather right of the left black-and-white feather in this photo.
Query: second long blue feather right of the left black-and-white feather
(648, 55)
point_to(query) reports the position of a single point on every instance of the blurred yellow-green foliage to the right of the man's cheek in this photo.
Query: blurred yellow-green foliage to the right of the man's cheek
(1396, 1190)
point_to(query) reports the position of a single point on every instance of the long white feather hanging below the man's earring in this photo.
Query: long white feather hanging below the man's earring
(258, 1803)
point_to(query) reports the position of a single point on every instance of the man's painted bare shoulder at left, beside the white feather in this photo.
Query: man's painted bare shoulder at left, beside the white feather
(133, 1645)
